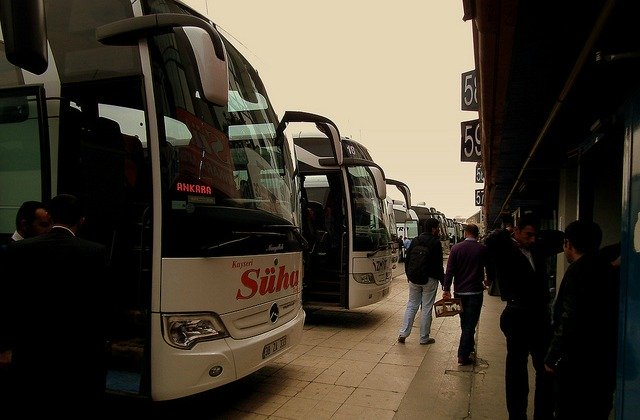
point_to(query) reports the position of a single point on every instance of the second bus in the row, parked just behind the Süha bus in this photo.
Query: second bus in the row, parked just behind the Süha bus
(347, 222)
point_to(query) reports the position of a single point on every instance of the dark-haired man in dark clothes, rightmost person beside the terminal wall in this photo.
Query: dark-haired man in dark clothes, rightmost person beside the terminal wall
(582, 354)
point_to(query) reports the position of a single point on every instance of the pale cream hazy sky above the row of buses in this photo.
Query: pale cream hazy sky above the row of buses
(388, 75)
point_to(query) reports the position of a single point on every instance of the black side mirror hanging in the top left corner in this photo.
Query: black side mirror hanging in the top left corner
(24, 33)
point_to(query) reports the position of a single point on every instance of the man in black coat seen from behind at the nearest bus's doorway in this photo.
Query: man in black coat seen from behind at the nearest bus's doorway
(57, 322)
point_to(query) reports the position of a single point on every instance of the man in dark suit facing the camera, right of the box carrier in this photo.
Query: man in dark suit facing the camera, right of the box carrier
(520, 267)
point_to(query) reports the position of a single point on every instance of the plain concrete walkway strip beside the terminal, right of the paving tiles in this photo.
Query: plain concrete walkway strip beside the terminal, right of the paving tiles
(441, 390)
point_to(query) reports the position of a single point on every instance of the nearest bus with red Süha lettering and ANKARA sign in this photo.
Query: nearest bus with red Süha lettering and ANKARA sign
(166, 133)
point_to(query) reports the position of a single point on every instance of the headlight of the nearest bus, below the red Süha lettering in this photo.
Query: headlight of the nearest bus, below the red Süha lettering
(183, 331)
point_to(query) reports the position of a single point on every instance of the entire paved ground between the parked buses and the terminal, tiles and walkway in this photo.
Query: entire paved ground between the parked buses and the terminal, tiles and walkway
(350, 366)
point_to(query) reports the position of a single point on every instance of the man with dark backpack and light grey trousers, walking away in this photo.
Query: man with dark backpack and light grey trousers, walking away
(425, 270)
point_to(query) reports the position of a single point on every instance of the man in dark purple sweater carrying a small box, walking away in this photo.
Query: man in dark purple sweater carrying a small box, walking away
(466, 270)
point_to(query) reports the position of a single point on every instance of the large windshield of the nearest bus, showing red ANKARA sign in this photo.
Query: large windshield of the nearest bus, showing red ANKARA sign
(223, 175)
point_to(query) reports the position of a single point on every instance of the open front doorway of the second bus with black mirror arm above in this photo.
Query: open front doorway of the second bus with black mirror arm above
(324, 206)
